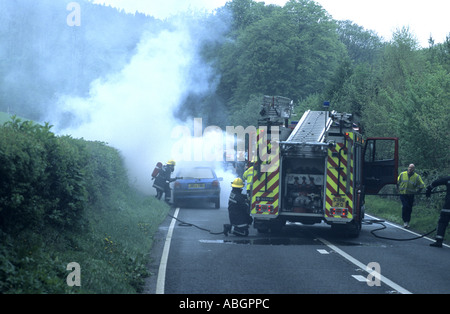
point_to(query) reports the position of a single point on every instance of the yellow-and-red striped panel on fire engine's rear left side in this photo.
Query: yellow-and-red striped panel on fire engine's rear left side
(265, 185)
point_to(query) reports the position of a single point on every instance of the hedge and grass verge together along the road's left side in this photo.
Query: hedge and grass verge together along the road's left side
(64, 200)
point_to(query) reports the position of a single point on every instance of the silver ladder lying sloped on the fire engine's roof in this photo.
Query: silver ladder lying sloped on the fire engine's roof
(311, 128)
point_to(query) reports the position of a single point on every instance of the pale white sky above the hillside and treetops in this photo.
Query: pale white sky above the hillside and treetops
(424, 18)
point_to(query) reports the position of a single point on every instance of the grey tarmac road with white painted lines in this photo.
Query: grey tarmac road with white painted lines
(299, 260)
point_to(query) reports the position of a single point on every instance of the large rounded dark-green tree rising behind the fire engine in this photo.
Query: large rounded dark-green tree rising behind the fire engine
(286, 51)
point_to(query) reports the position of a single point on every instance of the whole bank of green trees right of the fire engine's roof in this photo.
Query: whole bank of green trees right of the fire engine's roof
(404, 93)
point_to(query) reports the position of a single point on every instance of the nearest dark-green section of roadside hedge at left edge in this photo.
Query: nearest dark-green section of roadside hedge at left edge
(41, 178)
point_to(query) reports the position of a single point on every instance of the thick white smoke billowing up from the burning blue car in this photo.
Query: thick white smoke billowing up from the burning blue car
(132, 110)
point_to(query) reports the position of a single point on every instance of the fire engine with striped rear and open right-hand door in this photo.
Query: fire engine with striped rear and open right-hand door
(316, 170)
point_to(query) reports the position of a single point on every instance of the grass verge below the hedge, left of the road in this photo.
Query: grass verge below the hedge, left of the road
(112, 251)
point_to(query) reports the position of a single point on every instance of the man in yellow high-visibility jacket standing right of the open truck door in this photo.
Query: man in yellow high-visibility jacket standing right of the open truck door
(409, 183)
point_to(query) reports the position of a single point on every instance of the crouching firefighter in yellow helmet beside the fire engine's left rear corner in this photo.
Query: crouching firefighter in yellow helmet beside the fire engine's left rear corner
(238, 211)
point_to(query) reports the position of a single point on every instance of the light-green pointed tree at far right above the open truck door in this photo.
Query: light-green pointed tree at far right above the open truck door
(411, 102)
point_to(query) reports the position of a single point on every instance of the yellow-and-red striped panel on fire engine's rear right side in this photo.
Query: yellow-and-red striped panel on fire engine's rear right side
(340, 205)
